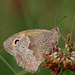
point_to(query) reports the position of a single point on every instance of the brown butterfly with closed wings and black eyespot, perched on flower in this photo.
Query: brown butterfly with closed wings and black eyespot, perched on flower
(28, 47)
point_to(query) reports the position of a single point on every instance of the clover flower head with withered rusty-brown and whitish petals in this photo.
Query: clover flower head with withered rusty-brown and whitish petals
(60, 58)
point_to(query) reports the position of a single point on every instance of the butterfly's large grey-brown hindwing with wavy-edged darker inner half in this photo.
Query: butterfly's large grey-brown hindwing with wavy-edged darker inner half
(29, 50)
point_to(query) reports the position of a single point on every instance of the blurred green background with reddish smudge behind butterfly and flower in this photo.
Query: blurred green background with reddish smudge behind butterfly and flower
(19, 15)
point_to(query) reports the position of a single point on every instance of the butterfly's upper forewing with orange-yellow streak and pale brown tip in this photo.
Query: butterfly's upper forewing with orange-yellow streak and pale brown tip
(9, 44)
